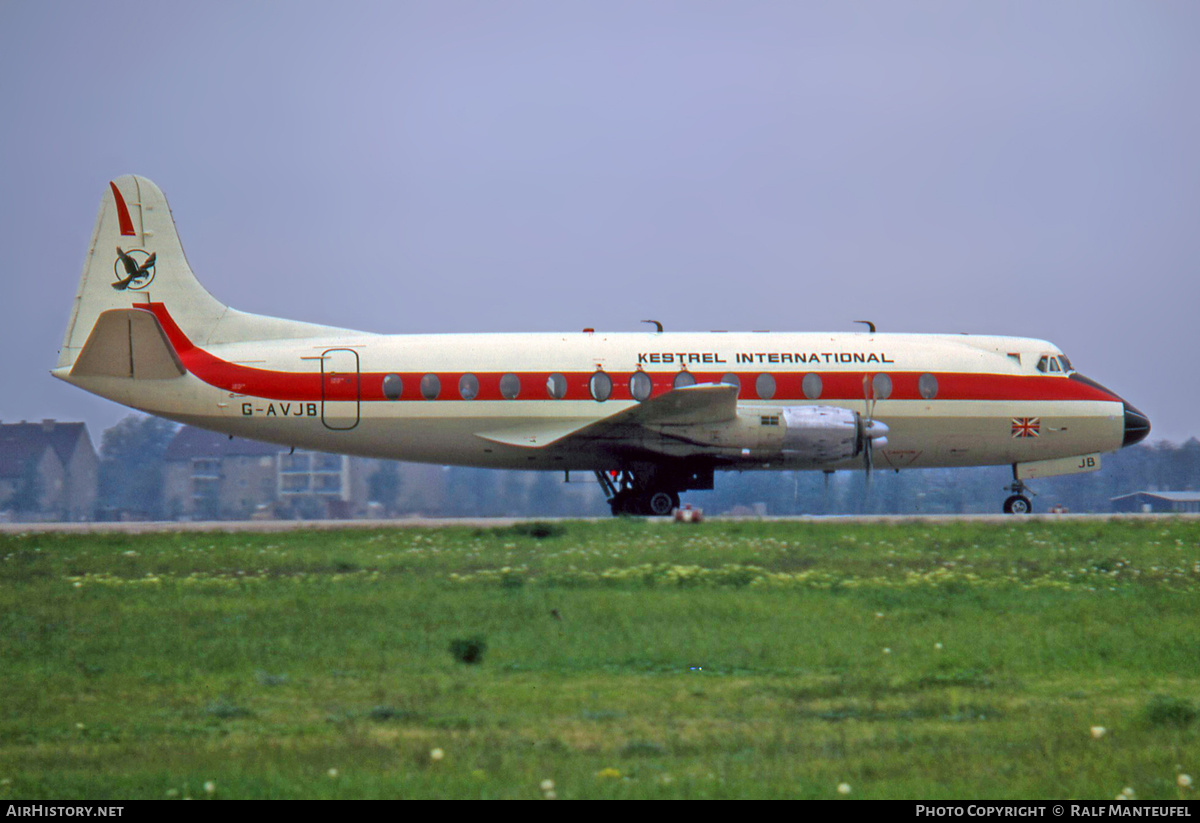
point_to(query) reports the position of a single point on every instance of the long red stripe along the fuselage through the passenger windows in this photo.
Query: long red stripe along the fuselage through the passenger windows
(838, 387)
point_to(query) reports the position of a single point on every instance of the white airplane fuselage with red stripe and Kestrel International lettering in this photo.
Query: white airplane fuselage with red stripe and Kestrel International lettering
(953, 400)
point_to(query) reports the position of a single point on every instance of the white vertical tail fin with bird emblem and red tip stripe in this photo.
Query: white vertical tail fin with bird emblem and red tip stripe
(136, 257)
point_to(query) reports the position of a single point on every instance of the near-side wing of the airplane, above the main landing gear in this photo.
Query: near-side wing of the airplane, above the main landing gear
(689, 406)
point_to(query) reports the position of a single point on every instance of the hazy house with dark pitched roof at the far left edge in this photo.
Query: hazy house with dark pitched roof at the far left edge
(49, 471)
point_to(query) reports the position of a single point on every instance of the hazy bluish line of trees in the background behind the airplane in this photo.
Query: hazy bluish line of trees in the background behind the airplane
(131, 474)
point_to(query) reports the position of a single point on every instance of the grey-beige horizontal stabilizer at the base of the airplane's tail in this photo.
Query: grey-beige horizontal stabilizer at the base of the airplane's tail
(130, 344)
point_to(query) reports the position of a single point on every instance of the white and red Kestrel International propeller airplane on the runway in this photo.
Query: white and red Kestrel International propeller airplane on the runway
(652, 414)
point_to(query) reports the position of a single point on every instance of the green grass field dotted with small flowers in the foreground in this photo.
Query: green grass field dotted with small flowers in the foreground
(620, 659)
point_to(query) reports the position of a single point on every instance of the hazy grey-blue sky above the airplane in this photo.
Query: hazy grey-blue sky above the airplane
(1010, 167)
